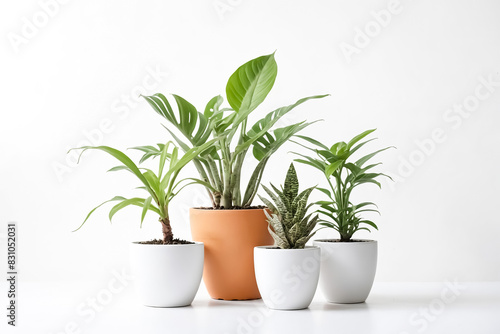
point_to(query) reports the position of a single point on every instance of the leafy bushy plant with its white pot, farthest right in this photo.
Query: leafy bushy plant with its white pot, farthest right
(348, 265)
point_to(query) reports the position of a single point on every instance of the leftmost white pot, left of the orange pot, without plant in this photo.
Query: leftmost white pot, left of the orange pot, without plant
(167, 275)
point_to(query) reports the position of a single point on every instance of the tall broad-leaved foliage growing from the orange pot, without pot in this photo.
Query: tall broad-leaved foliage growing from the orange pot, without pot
(220, 167)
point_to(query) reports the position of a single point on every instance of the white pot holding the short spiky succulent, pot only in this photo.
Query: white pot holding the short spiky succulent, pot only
(287, 278)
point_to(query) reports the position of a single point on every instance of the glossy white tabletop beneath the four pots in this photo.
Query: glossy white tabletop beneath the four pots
(392, 308)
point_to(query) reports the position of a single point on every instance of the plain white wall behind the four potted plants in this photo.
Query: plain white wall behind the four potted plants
(75, 71)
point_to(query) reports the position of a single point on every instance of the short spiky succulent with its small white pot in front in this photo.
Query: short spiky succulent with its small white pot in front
(288, 272)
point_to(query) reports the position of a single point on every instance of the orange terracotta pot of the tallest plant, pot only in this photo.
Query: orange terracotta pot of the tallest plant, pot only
(229, 237)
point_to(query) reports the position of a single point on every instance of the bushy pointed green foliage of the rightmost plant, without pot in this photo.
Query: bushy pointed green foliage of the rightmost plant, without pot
(343, 176)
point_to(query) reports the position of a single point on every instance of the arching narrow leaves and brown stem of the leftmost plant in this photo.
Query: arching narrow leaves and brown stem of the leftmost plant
(160, 187)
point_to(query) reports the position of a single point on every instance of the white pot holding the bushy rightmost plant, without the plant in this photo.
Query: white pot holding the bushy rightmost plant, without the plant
(347, 269)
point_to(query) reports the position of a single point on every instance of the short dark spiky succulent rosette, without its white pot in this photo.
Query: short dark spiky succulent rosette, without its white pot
(288, 224)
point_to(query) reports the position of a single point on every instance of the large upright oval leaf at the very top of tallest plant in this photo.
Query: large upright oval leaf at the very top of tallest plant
(250, 84)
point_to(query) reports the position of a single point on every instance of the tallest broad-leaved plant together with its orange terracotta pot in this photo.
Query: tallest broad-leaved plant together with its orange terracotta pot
(231, 227)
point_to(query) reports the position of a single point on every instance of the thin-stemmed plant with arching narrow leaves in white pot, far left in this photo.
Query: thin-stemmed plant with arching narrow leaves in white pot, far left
(167, 271)
